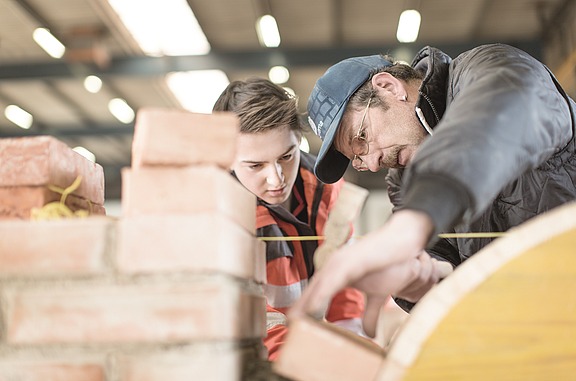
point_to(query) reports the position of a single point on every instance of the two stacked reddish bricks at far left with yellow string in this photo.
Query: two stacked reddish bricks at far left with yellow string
(32, 167)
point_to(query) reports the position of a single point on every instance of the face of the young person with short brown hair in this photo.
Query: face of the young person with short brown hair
(267, 163)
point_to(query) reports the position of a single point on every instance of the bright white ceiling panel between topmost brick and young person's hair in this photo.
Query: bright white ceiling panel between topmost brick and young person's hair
(197, 90)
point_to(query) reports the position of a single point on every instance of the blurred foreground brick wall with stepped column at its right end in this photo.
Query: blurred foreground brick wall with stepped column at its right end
(171, 290)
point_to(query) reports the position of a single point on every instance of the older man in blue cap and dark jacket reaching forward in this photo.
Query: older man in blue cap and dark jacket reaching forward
(480, 143)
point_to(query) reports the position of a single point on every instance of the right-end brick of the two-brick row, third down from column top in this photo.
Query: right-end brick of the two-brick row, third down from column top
(200, 243)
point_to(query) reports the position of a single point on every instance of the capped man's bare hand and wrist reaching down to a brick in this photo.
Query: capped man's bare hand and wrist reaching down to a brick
(365, 264)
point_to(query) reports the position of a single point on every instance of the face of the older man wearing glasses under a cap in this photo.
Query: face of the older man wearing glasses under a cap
(392, 135)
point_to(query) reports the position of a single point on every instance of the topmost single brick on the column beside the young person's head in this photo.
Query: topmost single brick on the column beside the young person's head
(177, 137)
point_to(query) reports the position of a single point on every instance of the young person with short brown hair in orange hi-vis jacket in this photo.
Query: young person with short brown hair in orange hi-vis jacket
(291, 201)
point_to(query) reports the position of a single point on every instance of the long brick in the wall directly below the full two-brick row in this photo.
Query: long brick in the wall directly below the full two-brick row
(209, 308)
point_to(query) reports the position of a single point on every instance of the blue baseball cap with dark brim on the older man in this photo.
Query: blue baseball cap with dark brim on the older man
(326, 106)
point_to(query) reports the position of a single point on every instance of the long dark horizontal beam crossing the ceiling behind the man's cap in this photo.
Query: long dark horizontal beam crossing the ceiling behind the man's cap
(231, 60)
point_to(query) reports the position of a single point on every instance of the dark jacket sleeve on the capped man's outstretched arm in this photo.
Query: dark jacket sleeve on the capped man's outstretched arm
(504, 116)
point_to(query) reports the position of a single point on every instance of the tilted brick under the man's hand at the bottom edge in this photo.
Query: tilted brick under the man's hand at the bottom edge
(317, 351)
